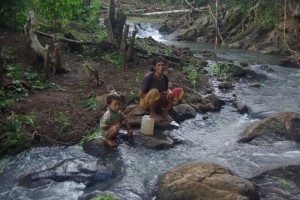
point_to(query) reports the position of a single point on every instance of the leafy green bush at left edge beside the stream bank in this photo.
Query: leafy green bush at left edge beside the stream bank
(16, 136)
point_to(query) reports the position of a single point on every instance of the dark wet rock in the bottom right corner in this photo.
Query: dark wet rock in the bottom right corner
(280, 184)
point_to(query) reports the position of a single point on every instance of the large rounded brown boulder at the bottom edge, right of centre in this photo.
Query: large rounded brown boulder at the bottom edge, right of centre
(204, 181)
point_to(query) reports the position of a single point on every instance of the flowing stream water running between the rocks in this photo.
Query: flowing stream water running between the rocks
(211, 140)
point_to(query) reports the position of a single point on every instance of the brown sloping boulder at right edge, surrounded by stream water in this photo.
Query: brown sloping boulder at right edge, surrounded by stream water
(280, 127)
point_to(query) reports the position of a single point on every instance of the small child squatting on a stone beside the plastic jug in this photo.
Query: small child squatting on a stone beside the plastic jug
(111, 121)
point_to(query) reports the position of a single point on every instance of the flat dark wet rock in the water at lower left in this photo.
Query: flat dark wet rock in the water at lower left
(80, 171)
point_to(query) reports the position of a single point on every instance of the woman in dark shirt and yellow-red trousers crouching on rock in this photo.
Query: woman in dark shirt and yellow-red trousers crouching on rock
(154, 93)
